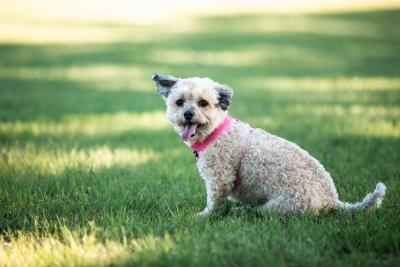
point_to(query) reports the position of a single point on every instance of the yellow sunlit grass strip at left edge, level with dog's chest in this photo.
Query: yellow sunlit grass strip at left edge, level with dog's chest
(35, 162)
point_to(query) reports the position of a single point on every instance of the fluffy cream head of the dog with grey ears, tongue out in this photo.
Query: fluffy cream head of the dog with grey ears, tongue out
(195, 106)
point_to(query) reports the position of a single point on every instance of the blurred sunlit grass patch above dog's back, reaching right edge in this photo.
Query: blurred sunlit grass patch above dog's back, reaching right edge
(338, 120)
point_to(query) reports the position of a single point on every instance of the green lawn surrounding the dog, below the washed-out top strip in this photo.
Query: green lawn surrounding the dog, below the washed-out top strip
(91, 174)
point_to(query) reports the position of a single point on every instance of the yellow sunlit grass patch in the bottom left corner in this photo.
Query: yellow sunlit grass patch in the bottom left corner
(70, 248)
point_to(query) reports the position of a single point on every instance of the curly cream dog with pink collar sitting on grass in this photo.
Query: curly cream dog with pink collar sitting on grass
(246, 164)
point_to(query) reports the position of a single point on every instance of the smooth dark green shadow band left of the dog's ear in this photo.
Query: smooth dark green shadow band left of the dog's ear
(30, 100)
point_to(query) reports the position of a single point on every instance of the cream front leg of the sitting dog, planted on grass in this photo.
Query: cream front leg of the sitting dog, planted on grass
(217, 190)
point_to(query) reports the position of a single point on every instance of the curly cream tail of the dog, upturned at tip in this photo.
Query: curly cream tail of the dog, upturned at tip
(370, 202)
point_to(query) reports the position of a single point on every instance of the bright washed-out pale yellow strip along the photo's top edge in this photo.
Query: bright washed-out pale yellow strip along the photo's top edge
(41, 21)
